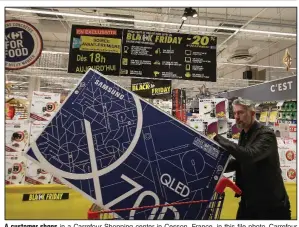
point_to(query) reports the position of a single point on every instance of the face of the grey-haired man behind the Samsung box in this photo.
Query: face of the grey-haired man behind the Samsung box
(243, 116)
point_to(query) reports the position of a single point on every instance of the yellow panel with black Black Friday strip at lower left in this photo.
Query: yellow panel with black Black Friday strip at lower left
(44, 202)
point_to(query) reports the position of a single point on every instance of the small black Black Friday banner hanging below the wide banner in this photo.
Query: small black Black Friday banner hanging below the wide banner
(147, 88)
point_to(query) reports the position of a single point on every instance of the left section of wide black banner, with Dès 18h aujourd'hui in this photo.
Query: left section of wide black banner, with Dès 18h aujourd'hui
(95, 47)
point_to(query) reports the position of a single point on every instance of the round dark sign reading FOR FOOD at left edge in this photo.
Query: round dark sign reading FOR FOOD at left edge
(23, 44)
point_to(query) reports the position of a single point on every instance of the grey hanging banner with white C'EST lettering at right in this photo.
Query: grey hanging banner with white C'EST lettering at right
(282, 89)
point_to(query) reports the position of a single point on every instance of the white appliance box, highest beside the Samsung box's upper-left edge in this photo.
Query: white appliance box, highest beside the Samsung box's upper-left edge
(44, 105)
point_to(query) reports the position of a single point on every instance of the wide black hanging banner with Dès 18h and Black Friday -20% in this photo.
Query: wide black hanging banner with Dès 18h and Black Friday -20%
(145, 54)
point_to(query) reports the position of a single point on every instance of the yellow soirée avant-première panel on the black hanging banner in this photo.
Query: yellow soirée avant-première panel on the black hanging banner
(101, 44)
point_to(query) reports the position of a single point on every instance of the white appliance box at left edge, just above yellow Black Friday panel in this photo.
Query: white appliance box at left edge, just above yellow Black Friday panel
(15, 166)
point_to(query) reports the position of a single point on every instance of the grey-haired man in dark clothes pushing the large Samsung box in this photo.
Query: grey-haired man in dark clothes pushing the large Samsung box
(256, 162)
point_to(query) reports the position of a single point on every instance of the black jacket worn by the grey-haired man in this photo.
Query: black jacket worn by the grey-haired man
(257, 167)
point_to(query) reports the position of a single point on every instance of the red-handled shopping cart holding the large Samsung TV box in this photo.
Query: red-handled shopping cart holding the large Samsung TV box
(212, 212)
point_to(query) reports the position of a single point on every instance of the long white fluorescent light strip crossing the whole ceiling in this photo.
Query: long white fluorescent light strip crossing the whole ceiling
(147, 21)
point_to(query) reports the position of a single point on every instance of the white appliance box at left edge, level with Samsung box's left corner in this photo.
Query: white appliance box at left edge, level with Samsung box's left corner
(16, 136)
